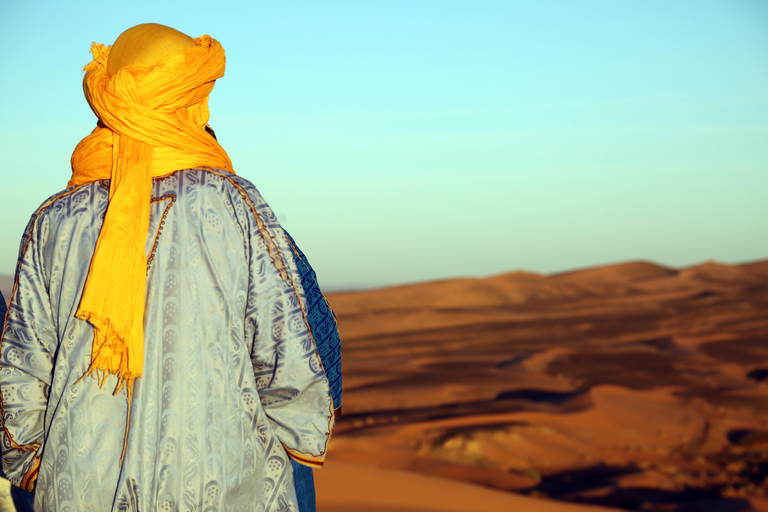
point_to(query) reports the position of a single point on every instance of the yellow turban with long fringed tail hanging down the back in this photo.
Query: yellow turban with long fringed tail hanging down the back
(150, 93)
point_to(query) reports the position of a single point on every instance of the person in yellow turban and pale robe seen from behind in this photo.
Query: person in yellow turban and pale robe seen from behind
(158, 352)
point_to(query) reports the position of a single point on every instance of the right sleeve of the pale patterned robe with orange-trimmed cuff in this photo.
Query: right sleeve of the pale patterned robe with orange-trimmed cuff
(290, 378)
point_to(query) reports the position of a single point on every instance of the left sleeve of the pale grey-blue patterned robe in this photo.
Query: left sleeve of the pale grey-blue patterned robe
(27, 345)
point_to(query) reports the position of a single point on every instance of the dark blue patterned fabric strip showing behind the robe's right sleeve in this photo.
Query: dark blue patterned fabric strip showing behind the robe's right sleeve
(322, 321)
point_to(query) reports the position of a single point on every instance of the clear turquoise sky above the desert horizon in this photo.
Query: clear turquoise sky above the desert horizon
(404, 141)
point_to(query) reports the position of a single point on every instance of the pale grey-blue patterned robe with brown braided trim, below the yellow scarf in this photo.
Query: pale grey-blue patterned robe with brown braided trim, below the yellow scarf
(232, 380)
